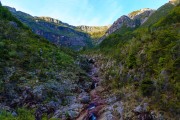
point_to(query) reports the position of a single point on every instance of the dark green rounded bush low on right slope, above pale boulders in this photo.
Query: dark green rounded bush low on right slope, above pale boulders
(147, 87)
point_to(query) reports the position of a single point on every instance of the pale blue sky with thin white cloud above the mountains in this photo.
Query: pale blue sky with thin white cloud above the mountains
(83, 12)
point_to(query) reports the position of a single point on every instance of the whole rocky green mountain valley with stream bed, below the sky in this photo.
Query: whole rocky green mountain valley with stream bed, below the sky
(50, 70)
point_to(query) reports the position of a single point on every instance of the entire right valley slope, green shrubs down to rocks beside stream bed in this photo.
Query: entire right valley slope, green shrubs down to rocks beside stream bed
(141, 68)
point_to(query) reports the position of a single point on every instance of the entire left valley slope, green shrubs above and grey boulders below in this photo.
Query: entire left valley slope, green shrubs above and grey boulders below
(37, 78)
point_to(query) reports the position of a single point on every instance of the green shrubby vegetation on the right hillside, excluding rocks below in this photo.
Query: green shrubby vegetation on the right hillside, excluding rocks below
(150, 58)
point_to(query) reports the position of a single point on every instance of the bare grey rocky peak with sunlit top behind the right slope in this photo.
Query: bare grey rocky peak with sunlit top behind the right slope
(133, 20)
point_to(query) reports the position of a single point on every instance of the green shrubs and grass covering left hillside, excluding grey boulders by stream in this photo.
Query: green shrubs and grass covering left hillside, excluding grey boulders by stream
(28, 60)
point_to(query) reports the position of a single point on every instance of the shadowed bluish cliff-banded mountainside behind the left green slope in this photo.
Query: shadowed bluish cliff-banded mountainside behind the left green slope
(54, 30)
